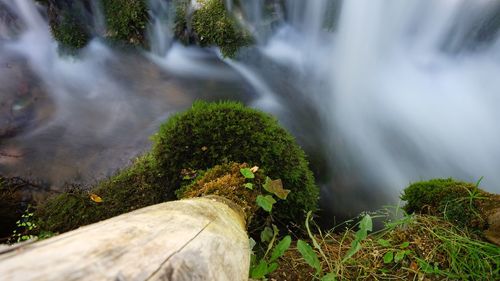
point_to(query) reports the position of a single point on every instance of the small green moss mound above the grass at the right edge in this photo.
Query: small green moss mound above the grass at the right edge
(458, 202)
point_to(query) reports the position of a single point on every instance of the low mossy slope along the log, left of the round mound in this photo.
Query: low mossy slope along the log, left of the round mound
(130, 189)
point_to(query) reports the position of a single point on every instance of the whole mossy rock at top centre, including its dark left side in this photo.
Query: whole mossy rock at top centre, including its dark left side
(210, 25)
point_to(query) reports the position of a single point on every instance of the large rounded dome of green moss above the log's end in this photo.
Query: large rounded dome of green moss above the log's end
(213, 133)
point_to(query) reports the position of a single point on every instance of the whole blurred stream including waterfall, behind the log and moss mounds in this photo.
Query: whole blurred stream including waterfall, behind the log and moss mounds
(380, 93)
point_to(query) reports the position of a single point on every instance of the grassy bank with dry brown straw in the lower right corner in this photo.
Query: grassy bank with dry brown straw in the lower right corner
(414, 247)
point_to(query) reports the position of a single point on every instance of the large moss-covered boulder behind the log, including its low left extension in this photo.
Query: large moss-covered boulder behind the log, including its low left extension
(206, 135)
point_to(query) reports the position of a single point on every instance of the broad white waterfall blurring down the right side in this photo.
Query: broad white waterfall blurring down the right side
(406, 90)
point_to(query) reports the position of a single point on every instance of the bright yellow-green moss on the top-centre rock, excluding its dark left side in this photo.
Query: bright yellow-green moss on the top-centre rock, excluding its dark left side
(215, 27)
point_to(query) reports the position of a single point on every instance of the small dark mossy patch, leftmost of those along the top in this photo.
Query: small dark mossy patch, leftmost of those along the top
(70, 32)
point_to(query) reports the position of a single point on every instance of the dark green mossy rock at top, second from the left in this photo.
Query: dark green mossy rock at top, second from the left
(126, 20)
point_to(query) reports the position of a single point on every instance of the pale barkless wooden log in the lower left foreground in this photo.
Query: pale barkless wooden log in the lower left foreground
(193, 239)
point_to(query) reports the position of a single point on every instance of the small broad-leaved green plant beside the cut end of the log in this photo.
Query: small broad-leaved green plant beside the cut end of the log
(268, 264)
